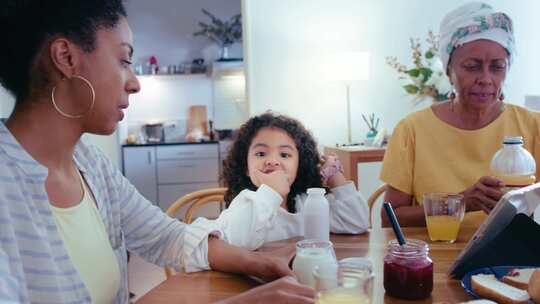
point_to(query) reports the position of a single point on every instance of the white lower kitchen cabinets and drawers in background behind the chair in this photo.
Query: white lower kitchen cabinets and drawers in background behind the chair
(177, 170)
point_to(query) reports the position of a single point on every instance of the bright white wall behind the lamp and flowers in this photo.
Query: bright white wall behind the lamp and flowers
(286, 42)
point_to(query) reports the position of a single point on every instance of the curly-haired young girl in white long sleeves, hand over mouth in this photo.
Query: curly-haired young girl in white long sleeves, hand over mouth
(269, 168)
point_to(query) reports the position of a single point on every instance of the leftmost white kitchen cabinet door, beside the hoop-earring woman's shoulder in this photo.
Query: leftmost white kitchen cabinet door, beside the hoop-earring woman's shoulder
(140, 170)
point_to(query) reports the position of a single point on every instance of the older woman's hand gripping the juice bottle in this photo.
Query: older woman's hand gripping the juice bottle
(484, 194)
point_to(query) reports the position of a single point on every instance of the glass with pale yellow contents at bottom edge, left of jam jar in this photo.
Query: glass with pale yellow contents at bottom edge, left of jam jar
(350, 281)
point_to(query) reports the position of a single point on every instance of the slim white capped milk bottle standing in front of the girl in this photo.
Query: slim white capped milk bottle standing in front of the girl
(316, 215)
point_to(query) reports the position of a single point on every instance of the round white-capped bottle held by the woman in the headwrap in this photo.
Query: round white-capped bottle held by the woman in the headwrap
(514, 165)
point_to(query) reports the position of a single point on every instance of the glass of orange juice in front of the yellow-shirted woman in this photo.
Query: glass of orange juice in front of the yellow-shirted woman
(444, 213)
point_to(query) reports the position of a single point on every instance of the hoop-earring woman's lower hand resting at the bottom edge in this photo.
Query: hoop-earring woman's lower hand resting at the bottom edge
(284, 290)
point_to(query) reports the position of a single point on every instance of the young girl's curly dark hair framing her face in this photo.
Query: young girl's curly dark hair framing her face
(235, 166)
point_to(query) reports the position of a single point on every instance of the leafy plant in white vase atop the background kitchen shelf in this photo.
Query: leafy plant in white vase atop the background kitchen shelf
(224, 33)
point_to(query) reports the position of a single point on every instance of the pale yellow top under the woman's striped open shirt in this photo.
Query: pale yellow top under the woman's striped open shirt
(89, 248)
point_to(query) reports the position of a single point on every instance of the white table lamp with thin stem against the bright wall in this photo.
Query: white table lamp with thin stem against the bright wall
(347, 68)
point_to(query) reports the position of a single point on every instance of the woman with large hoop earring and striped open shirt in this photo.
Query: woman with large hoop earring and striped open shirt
(67, 215)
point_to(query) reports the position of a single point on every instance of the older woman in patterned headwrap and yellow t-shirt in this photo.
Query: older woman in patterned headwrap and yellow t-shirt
(448, 146)
